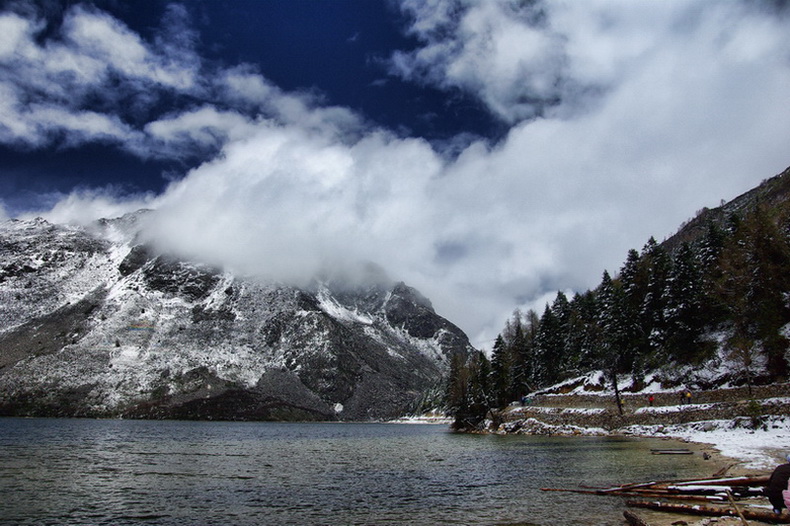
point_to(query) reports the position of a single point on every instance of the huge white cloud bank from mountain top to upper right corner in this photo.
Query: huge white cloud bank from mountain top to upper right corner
(650, 111)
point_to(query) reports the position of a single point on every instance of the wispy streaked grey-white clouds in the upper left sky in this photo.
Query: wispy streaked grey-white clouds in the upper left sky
(49, 89)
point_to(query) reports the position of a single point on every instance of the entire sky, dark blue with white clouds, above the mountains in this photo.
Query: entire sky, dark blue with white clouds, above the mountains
(488, 153)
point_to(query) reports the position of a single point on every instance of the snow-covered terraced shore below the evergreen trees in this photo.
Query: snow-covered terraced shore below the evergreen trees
(749, 426)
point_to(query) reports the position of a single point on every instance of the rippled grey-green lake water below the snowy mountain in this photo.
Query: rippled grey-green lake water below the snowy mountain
(118, 472)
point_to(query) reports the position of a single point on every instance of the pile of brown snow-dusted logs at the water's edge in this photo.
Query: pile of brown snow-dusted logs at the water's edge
(710, 497)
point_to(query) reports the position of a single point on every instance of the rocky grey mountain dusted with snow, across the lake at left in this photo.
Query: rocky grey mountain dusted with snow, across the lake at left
(95, 323)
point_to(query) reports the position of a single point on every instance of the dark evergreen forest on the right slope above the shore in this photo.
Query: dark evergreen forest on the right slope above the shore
(728, 289)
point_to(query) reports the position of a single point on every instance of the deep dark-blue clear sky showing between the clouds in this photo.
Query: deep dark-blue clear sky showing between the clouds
(338, 50)
